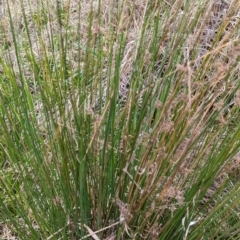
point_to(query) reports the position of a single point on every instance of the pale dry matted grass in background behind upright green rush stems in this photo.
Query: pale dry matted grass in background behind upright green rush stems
(220, 18)
